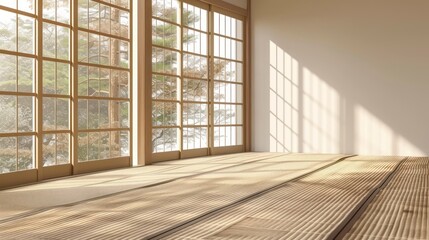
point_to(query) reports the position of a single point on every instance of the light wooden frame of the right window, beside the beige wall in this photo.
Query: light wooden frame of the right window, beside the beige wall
(145, 75)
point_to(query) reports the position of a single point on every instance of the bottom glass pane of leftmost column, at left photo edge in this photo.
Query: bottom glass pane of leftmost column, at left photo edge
(8, 155)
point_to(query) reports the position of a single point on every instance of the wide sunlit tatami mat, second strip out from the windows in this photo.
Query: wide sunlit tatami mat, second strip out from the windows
(148, 211)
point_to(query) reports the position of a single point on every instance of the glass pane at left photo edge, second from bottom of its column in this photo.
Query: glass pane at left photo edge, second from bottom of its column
(8, 109)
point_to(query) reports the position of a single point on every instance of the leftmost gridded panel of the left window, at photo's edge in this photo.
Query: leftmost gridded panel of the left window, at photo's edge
(17, 88)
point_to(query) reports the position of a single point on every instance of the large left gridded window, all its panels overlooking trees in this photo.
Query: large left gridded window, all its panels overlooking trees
(64, 83)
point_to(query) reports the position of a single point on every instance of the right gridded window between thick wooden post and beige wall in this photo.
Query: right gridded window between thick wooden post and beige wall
(197, 78)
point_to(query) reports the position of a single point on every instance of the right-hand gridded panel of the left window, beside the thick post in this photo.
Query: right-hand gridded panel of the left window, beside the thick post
(103, 81)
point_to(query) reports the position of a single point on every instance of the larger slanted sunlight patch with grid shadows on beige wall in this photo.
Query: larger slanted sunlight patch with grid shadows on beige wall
(313, 128)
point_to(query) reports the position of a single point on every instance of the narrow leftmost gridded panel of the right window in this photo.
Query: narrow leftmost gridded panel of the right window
(166, 81)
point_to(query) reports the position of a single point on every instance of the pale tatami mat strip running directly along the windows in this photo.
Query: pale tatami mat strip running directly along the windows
(82, 188)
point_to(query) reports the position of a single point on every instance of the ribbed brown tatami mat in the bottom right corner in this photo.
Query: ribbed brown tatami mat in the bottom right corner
(401, 209)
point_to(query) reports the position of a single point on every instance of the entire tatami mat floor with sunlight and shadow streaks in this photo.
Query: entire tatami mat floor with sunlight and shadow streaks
(239, 196)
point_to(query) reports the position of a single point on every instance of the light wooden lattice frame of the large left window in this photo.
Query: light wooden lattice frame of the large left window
(39, 172)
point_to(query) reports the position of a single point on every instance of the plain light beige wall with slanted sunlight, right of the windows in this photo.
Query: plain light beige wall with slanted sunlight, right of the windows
(339, 76)
